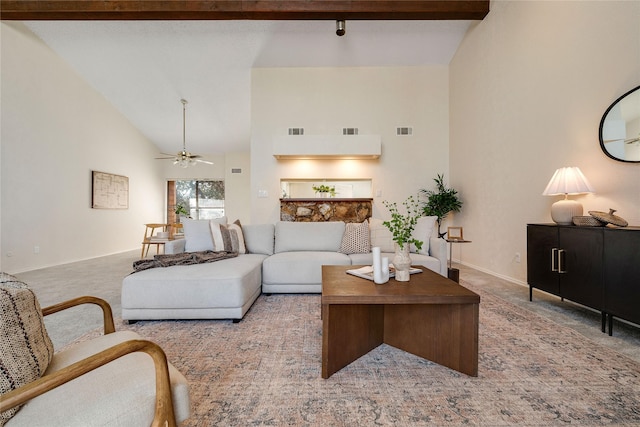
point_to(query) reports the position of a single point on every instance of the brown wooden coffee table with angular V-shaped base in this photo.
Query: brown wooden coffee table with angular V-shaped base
(430, 316)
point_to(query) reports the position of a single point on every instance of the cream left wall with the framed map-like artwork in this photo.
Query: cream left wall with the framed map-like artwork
(55, 130)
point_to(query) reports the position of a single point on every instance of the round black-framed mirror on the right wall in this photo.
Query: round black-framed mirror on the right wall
(620, 128)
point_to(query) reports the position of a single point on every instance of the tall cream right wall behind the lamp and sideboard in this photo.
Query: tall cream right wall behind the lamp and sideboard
(529, 85)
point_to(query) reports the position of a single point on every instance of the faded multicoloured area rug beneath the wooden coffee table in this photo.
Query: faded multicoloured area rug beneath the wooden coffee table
(265, 371)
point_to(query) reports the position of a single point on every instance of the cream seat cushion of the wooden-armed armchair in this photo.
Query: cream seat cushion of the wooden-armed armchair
(121, 392)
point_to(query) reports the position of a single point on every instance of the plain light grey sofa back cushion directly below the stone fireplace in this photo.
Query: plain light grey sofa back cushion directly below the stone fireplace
(308, 236)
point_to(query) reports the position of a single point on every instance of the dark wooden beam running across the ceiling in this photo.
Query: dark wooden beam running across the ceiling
(27, 10)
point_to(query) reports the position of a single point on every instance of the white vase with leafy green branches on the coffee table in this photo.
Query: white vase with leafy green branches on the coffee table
(401, 227)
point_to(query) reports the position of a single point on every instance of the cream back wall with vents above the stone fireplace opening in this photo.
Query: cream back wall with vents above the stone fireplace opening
(375, 100)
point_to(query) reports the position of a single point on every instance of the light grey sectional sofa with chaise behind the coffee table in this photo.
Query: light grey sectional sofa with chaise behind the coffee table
(281, 258)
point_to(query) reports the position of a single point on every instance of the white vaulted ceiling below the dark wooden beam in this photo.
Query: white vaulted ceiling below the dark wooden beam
(144, 68)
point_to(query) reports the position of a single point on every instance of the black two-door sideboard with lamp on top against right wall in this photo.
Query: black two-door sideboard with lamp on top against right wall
(598, 267)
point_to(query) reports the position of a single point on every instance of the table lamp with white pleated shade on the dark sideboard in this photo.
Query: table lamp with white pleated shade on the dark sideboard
(565, 181)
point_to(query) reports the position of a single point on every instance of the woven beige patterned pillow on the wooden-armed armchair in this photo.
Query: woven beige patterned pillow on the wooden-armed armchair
(25, 347)
